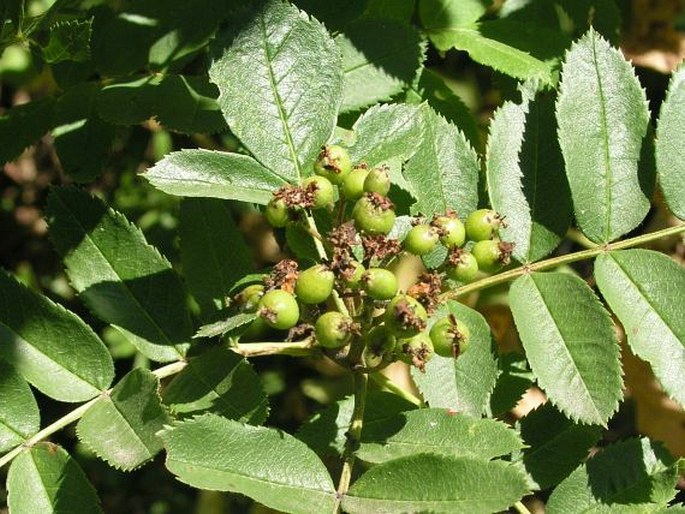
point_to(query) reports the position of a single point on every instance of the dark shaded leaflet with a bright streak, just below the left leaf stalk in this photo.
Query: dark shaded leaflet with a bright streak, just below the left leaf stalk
(221, 382)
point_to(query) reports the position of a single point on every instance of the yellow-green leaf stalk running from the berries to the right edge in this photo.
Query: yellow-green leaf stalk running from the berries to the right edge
(559, 261)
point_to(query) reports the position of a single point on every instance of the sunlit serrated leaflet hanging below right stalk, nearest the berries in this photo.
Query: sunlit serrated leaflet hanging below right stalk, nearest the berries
(570, 343)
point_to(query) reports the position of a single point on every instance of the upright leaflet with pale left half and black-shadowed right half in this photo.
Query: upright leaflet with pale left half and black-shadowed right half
(526, 181)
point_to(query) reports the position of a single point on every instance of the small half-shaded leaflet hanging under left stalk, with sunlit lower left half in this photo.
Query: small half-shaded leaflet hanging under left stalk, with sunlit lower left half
(121, 427)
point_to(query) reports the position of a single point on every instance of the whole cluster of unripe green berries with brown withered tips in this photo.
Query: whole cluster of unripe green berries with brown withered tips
(379, 323)
